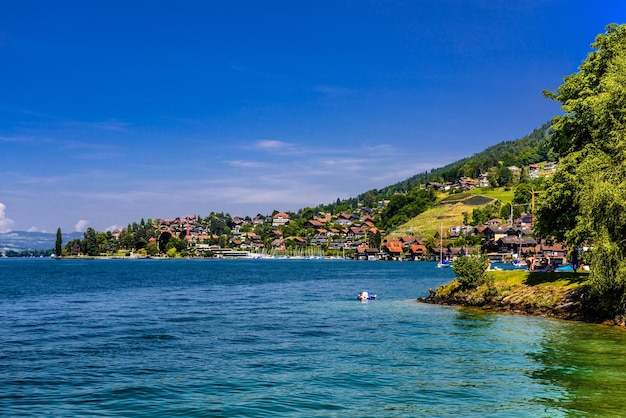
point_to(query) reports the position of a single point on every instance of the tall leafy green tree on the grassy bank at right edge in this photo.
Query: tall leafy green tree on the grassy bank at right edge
(586, 199)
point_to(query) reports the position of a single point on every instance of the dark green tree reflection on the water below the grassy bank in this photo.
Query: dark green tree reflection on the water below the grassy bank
(589, 362)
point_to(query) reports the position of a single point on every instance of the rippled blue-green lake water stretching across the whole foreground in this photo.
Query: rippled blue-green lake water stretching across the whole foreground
(284, 338)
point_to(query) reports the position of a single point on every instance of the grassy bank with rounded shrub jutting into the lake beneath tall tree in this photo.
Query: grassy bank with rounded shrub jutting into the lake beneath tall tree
(562, 295)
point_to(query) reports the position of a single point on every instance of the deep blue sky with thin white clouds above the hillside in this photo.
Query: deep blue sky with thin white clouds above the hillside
(113, 111)
